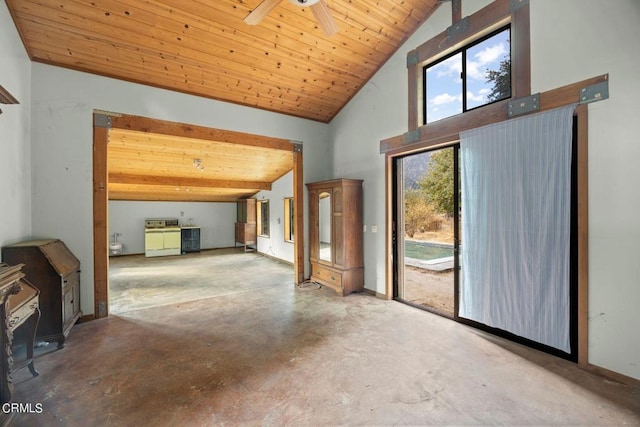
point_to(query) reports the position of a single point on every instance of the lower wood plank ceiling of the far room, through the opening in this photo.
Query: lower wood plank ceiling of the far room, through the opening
(153, 166)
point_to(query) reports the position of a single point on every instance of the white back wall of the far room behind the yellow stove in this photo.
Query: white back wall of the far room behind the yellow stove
(216, 221)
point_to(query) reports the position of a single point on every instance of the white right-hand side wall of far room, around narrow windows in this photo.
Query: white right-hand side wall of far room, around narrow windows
(275, 244)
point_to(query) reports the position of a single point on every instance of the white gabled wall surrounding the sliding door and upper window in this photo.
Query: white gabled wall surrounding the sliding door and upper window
(571, 41)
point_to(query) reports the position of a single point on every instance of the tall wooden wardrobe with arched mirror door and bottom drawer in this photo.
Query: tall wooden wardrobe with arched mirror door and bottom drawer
(335, 234)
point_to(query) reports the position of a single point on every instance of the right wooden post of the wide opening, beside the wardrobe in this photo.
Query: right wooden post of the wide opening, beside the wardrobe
(298, 218)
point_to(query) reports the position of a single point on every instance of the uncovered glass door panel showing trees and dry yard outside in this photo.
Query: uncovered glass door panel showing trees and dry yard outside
(427, 230)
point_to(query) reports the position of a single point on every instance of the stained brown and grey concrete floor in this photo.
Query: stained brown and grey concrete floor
(256, 351)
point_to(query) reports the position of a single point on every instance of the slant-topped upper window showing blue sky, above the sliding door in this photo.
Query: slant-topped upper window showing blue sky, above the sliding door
(473, 76)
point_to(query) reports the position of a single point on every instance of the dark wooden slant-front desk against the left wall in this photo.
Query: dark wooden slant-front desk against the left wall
(55, 271)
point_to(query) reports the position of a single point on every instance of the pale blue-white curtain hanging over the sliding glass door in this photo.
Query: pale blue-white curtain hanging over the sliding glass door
(516, 207)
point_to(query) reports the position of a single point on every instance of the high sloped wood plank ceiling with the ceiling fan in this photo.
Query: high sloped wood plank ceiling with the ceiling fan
(285, 64)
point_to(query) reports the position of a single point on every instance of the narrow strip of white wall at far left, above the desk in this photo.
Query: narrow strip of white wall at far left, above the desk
(15, 135)
